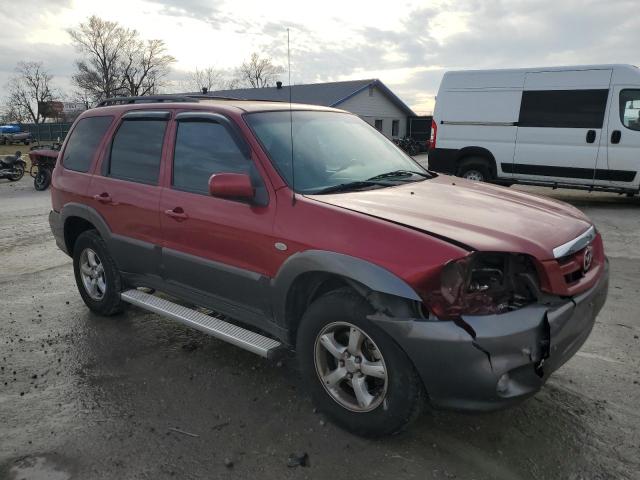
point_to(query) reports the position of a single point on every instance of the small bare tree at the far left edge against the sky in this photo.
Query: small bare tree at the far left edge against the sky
(30, 85)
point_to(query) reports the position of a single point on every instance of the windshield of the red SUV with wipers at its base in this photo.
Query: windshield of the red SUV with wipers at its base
(331, 150)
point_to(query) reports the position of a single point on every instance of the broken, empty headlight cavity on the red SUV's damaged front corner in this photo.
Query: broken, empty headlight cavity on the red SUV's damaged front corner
(483, 284)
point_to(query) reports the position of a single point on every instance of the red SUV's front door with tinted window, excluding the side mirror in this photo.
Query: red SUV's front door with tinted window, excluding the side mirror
(215, 246)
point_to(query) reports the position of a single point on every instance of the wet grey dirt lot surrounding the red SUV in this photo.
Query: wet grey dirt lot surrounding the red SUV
(139, 397)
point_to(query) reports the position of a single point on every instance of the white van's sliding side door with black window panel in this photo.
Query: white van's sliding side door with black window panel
(560, 126)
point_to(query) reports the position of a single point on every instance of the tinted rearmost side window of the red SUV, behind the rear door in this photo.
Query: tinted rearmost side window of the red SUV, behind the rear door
(83, 142)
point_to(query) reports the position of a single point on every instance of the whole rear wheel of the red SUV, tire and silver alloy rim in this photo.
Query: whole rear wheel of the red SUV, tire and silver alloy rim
(97, 275)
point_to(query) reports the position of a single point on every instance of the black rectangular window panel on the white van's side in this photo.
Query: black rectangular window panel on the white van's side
(563, 108)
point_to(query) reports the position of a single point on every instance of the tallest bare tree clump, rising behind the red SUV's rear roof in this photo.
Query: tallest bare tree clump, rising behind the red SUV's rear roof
(116, 61)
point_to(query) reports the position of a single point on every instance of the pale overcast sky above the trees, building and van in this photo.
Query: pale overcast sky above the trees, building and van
(406, 44)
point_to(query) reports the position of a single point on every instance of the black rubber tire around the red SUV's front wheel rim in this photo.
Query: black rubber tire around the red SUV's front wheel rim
(405, 392)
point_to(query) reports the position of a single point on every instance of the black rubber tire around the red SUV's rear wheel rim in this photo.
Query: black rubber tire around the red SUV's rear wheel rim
(110, 304)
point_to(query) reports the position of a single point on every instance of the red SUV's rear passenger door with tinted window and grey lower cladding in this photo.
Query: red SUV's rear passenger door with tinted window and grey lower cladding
(126, 191)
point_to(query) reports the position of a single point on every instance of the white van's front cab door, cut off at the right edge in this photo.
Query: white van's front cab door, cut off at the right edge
(623, 137)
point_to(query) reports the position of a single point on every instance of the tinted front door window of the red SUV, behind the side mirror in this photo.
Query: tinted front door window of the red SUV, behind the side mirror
(202, 149)
